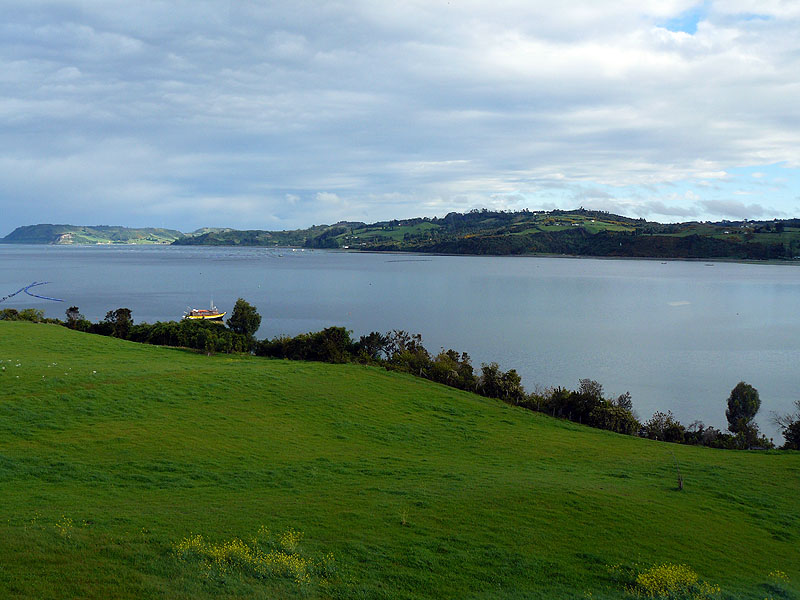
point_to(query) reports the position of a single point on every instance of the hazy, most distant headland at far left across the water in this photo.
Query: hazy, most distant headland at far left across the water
(99, 234)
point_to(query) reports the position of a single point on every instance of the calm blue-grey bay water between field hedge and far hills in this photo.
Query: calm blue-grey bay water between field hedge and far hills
(677, 335)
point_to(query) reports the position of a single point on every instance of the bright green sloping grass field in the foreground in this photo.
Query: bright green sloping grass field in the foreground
(113, 455)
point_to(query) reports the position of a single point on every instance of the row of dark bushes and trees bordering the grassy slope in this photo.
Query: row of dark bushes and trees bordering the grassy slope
(401, 351)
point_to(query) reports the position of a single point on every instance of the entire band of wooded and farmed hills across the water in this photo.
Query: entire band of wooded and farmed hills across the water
(578, 232)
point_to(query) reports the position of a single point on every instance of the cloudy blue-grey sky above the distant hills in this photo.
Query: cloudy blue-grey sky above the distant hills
(273, 115)
